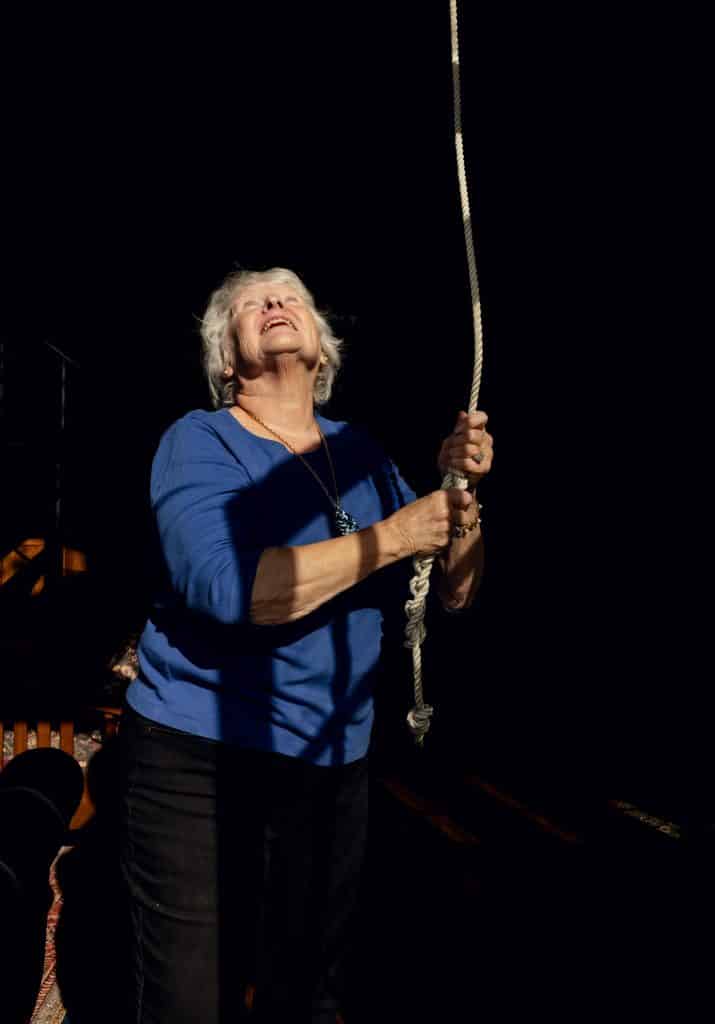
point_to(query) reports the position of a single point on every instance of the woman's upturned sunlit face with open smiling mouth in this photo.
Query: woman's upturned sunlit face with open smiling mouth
(270, 321)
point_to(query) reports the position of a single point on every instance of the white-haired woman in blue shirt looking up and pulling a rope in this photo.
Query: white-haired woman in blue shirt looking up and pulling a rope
(283, 537)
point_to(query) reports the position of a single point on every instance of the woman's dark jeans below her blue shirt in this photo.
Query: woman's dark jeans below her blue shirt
(243, 868)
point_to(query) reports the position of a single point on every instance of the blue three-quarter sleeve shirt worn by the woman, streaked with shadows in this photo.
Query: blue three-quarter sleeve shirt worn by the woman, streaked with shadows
(221, 497)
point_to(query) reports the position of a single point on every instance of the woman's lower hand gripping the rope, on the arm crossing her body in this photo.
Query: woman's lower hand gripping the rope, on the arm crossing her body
(426, 526)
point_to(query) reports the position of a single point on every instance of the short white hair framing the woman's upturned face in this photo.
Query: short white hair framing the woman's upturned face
(219, 347)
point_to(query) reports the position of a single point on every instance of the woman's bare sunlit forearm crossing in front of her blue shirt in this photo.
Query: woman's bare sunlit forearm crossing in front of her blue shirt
(291, 583)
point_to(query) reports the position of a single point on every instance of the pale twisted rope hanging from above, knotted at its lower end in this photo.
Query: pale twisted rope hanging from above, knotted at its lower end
(415, 632)
